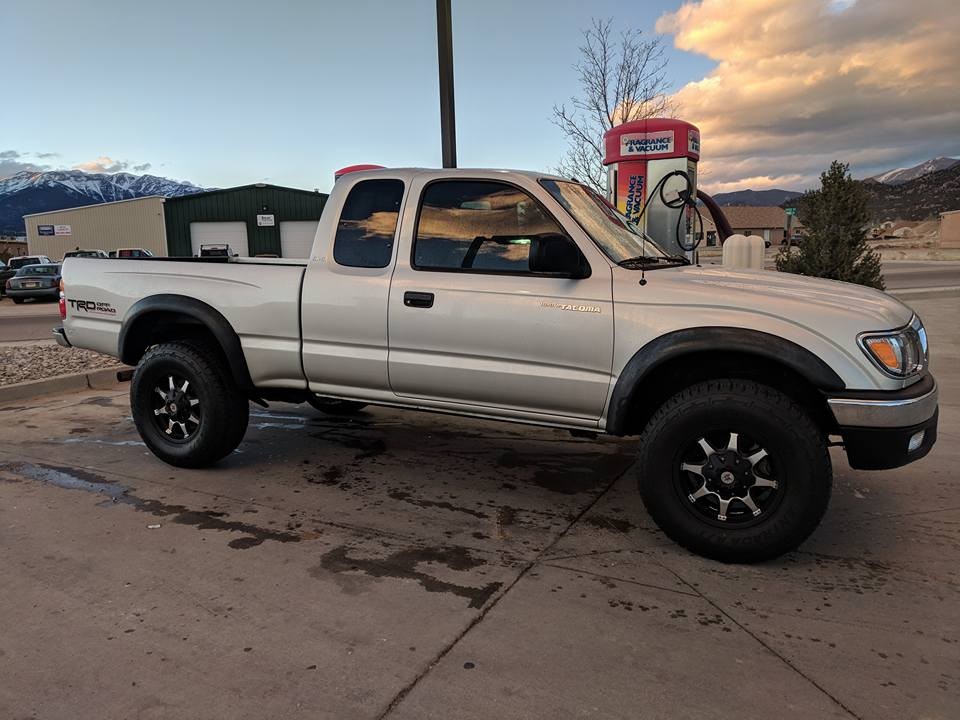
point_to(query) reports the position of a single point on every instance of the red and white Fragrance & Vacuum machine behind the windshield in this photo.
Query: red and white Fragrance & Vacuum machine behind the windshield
(638, 155)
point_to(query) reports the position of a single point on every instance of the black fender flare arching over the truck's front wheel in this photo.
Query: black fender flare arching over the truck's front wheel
(713, 339)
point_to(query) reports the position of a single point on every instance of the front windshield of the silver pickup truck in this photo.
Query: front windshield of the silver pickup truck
(615, 235)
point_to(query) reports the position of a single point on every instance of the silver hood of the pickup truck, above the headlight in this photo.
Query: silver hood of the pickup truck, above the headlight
(785, 294)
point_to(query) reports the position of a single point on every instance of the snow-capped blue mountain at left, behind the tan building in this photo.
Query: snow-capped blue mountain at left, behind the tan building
(30, 192)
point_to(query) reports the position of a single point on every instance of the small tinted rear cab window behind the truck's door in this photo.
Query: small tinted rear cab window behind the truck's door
(368, 223)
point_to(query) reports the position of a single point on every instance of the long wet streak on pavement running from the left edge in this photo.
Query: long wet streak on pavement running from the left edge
(79, 479)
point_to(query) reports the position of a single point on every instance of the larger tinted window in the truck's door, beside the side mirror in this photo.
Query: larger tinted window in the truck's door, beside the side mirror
(478, 226)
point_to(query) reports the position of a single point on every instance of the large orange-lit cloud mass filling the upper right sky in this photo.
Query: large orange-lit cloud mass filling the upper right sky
(799, 83)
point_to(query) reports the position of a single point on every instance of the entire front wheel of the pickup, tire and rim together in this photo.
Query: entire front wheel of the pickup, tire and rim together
(734, 470)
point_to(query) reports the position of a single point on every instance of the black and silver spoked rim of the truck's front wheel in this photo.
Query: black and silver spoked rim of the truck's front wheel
(708, 492)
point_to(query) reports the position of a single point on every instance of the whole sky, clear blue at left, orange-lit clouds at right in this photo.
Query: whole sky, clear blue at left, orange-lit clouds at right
(223, 93)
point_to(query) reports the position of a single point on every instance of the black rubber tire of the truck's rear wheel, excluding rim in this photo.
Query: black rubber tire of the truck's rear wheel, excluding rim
(224, 410)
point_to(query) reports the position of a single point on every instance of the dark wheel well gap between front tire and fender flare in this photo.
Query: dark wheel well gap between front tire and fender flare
(675, 374)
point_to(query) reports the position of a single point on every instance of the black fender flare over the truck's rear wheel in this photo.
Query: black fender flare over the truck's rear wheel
(198, 311)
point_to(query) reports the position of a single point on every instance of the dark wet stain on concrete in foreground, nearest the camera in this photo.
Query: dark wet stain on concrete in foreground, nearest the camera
(402, 565)
